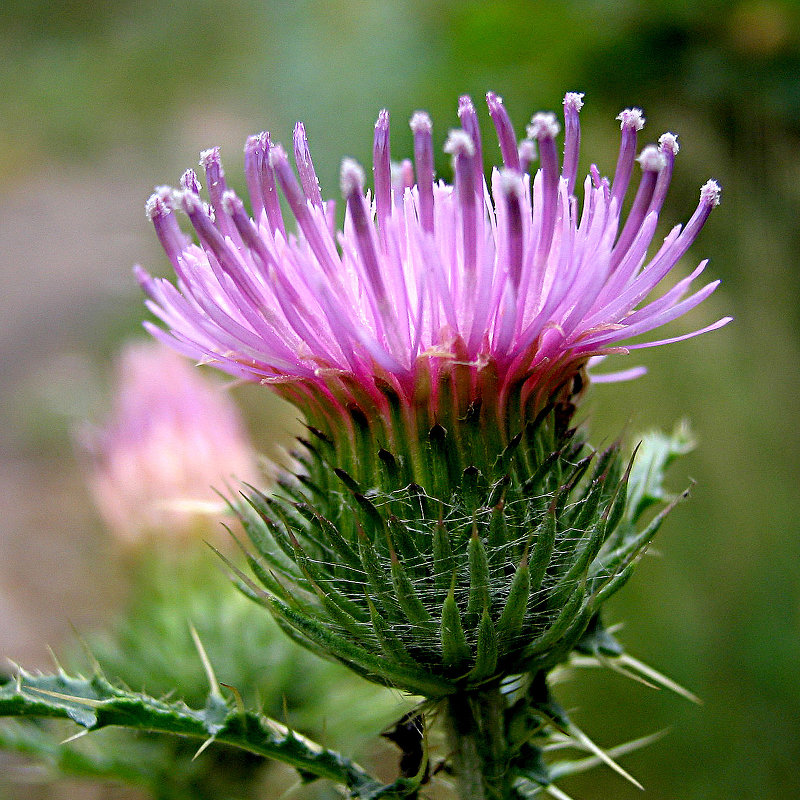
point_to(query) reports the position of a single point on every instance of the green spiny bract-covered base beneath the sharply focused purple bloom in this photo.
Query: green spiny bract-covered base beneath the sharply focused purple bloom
(437, 558)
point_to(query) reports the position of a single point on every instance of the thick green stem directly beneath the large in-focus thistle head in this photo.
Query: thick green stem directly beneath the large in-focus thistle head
(476, 735)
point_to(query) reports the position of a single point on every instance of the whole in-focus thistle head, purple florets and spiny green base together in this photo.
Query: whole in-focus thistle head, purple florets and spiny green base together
(444, 527)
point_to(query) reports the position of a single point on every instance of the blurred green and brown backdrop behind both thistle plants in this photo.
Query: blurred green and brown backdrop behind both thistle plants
(100, 102)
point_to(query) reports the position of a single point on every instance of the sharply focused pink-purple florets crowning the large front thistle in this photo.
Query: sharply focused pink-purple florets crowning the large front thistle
(516, 283)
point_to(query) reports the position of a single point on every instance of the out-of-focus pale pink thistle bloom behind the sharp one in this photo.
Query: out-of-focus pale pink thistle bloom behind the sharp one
(173, 435)
